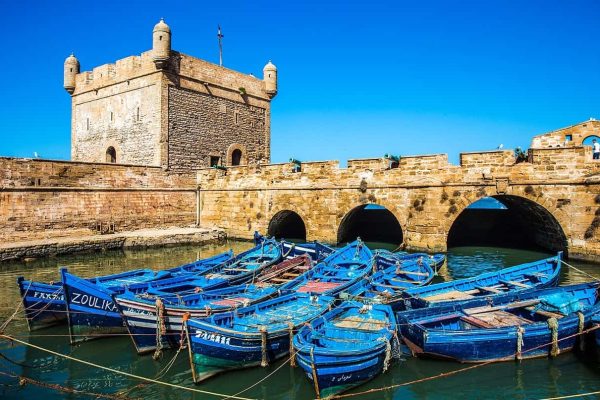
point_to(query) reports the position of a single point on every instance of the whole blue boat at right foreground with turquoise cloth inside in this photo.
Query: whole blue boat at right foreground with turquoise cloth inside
(526, 324)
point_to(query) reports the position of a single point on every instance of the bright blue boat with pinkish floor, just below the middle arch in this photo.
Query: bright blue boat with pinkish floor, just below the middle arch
(340, 271)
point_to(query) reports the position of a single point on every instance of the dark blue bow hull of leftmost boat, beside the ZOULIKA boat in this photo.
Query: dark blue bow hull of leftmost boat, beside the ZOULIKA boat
(44, 303)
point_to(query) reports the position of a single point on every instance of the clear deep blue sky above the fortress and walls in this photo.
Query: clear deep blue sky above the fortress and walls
(356, 79)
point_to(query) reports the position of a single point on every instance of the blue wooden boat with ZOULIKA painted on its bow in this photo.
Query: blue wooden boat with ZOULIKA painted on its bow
(99, 316)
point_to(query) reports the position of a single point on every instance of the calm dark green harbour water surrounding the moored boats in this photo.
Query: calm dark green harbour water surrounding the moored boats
(530, 379)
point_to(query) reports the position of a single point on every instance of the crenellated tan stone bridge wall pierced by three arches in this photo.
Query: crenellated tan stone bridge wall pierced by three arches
(556, 194)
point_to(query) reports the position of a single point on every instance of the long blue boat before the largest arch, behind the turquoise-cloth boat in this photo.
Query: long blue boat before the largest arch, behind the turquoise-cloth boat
(533, 275)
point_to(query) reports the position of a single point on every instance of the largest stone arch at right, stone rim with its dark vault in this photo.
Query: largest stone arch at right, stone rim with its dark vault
(529, 221)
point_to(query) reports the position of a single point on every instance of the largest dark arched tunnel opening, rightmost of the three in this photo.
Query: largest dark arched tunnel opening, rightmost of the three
(507, 221)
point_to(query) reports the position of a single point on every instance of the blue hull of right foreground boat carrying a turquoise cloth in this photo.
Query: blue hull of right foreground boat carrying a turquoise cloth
(450, 334)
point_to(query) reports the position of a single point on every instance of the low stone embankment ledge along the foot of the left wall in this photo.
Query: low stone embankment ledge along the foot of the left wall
(133, 239)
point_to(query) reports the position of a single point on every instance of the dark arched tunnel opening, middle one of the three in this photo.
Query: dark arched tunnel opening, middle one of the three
(372, 223)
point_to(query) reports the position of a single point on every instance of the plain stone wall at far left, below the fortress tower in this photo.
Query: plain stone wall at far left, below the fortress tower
(39, 197)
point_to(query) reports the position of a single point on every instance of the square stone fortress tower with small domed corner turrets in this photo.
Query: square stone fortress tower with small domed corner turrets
(165, 108)
